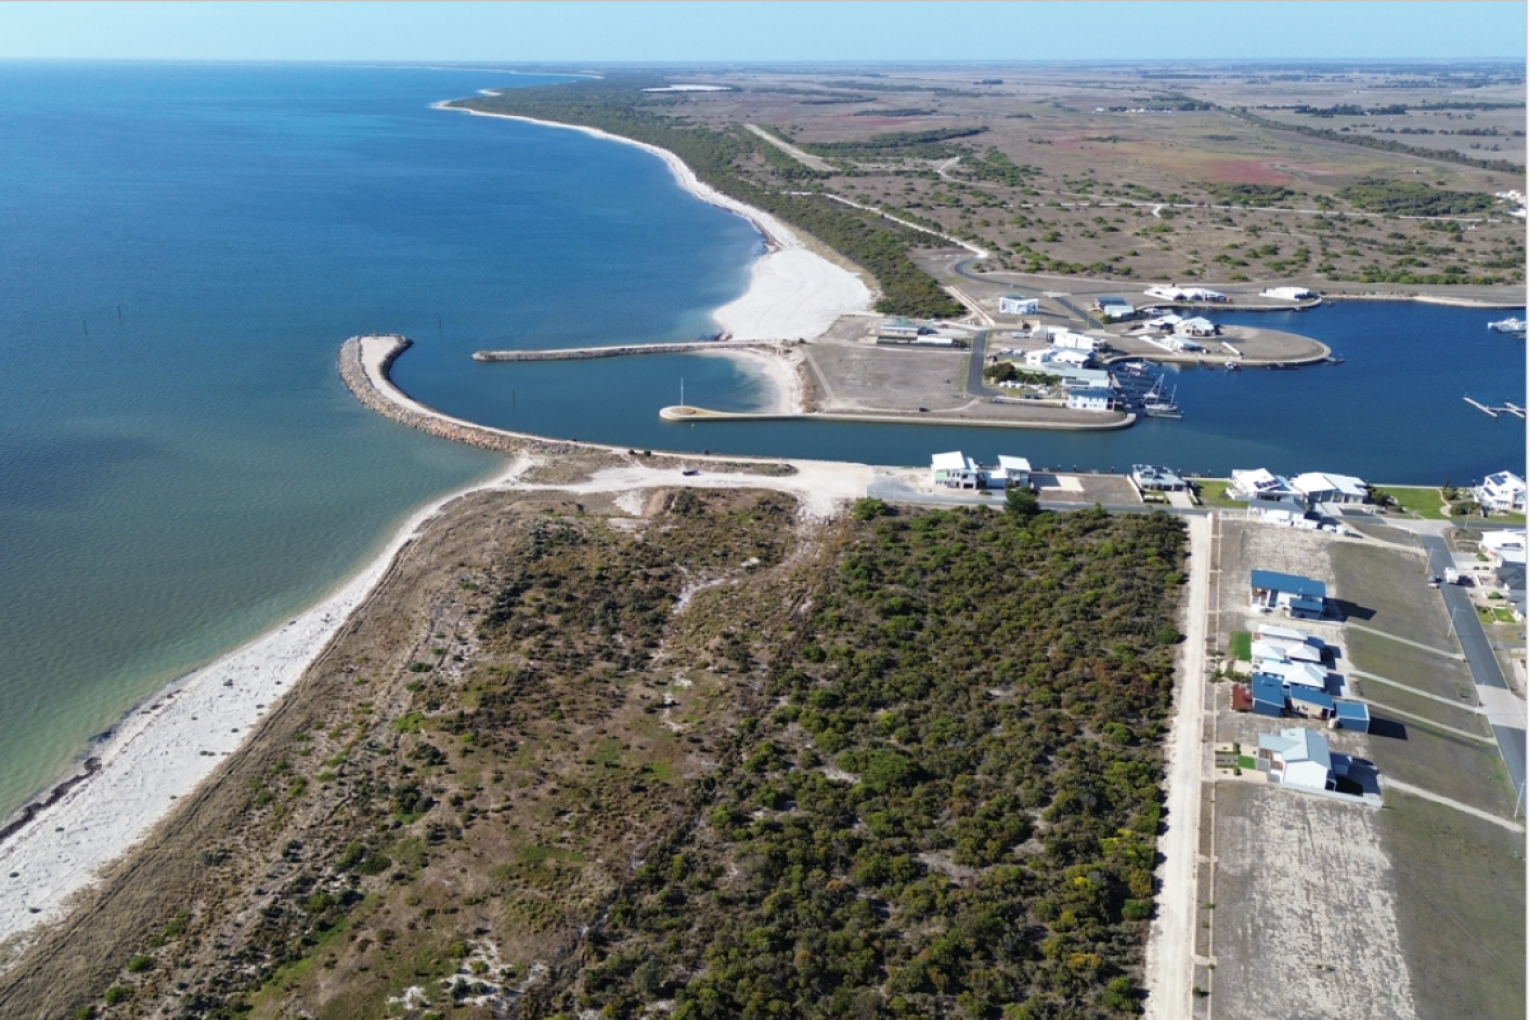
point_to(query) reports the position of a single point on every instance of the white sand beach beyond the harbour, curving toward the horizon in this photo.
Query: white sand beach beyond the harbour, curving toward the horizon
(793, 293)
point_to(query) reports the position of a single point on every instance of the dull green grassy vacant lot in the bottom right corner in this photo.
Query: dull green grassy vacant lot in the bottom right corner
(1460, 900)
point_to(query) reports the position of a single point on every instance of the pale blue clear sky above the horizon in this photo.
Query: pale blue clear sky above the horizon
(754, 31)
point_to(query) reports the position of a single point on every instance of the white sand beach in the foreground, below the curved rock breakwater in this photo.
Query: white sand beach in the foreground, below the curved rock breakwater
(169, 746)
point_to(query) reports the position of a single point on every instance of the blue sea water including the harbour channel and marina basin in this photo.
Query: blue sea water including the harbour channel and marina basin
(183, 250)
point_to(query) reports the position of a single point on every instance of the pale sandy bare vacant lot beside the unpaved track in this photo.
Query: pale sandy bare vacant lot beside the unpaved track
(1306, 917)
